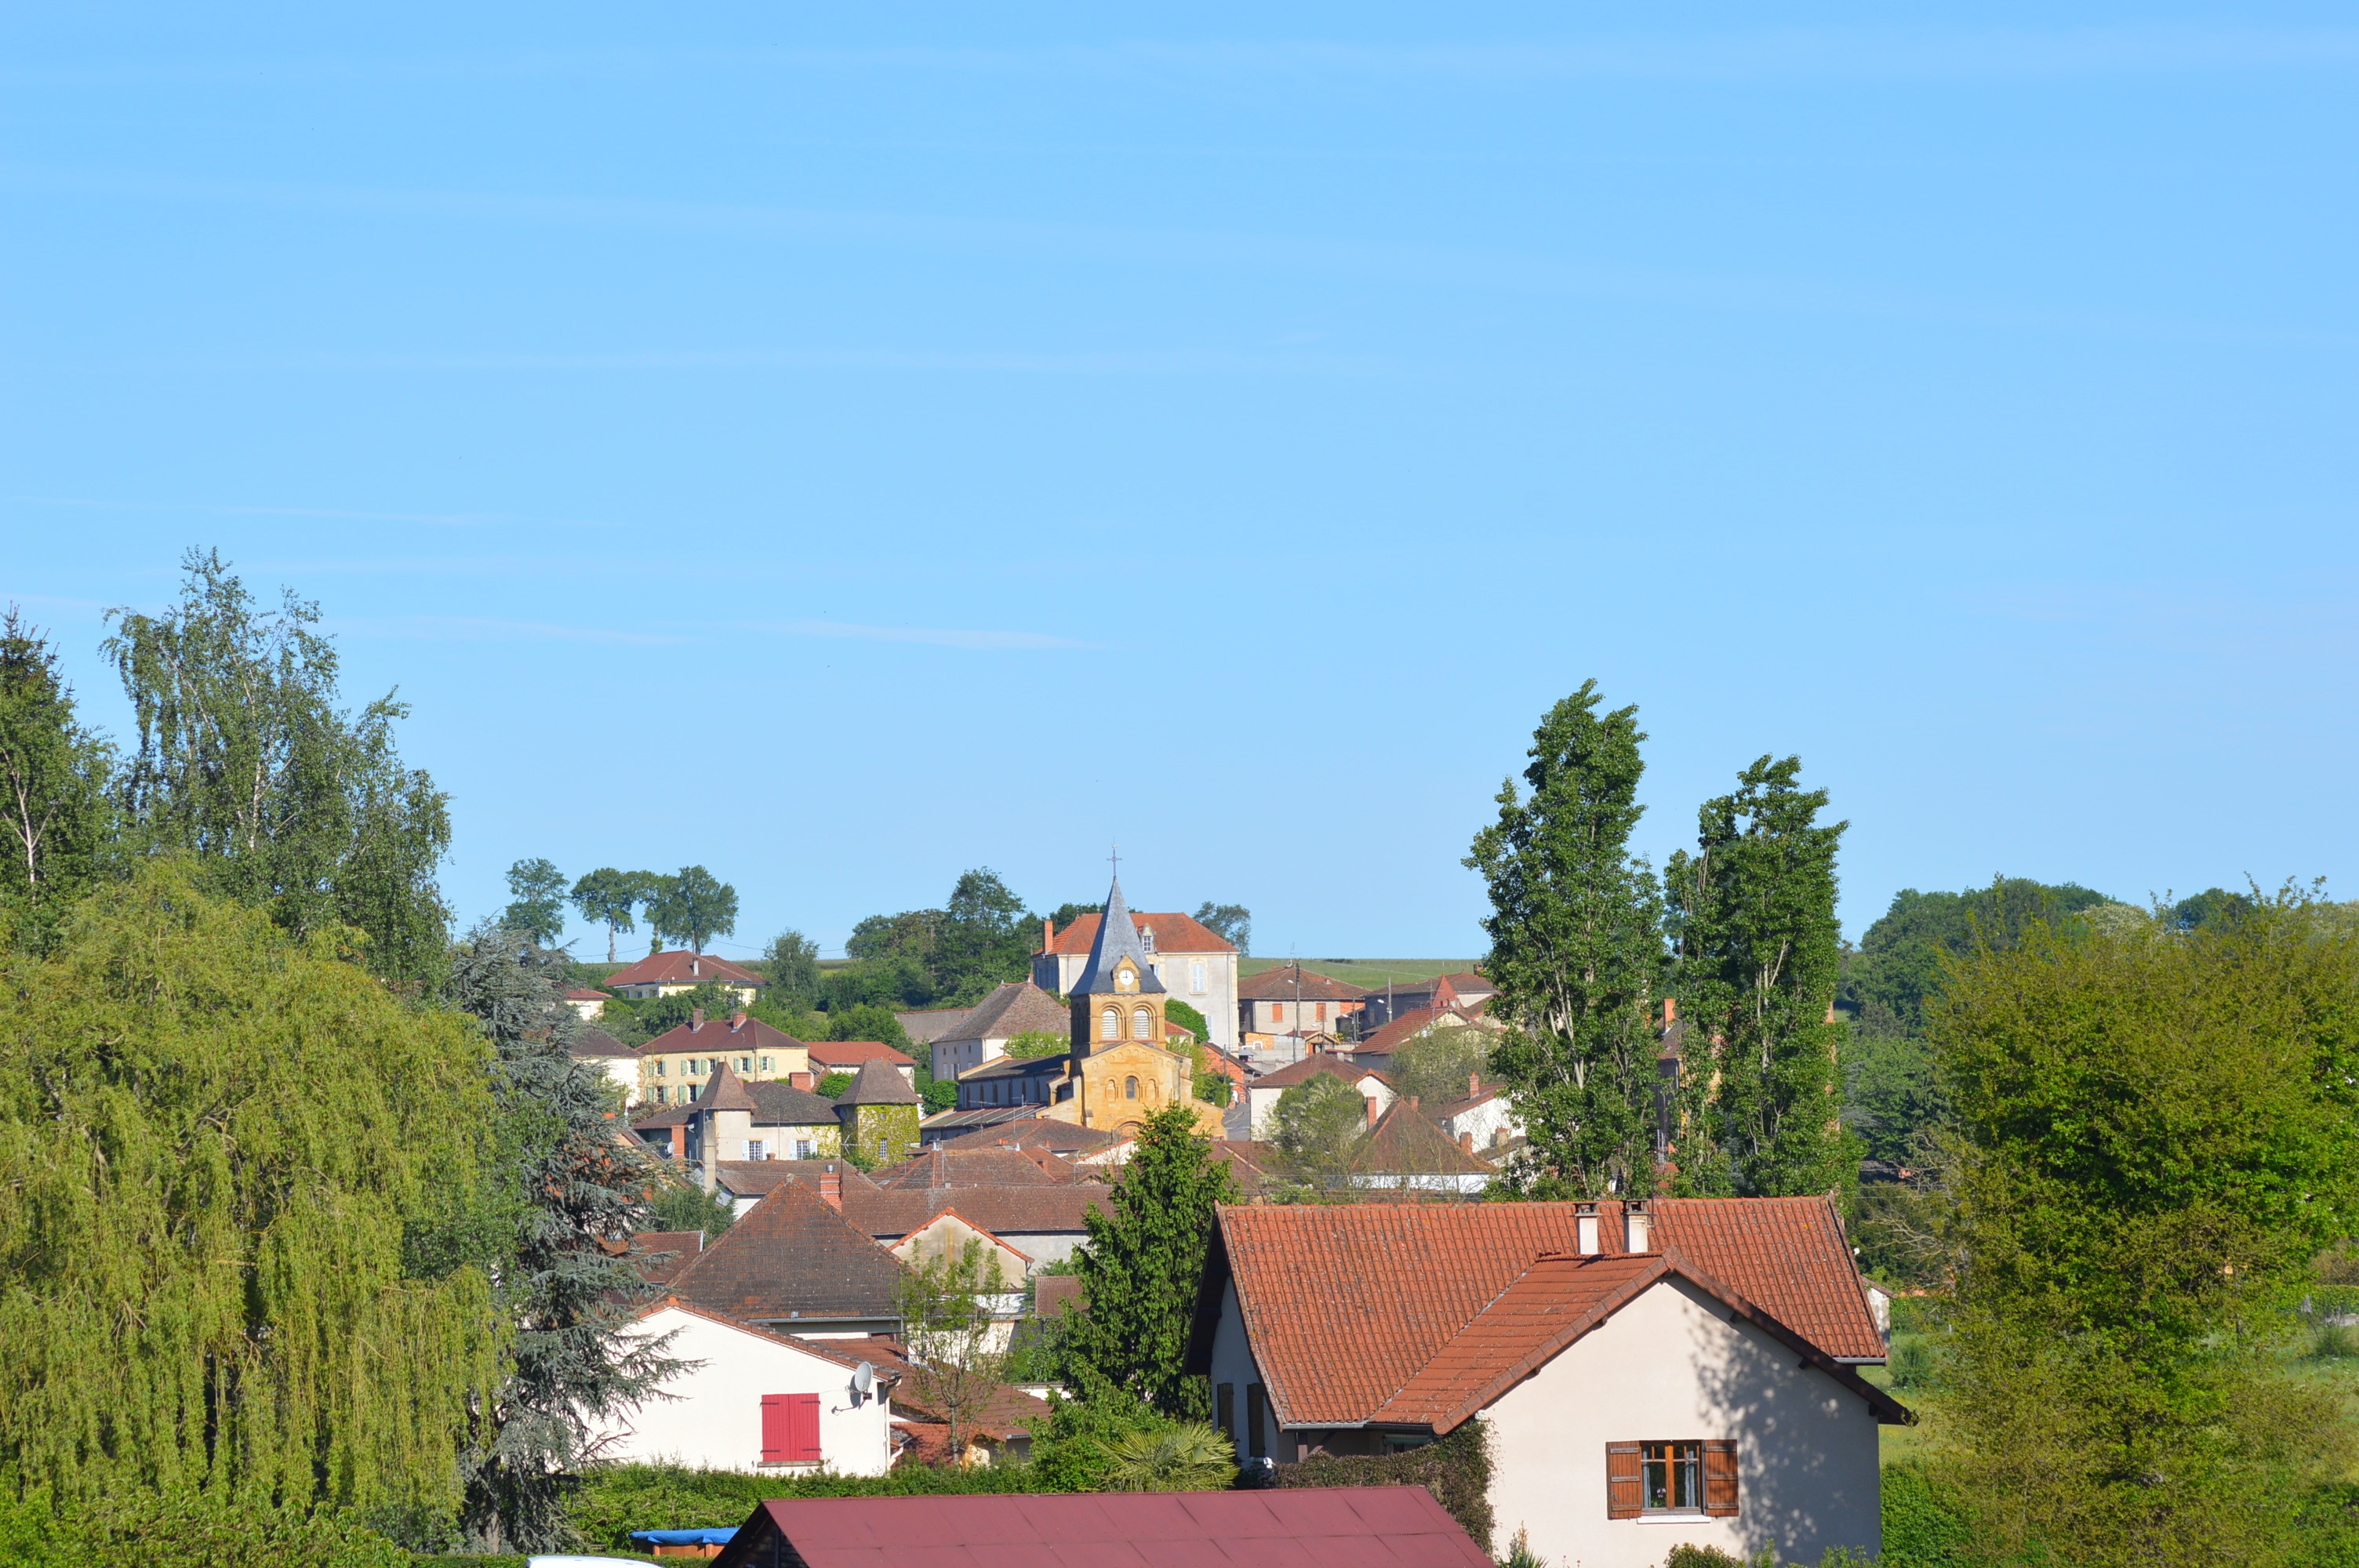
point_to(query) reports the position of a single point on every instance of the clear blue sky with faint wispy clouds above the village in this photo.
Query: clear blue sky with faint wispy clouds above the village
(843, 449)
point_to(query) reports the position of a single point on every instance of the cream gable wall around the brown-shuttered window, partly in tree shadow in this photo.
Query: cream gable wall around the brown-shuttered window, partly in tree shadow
(1674, 1366)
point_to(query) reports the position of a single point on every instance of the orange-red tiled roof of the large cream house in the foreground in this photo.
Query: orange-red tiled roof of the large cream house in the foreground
(1348, 1303)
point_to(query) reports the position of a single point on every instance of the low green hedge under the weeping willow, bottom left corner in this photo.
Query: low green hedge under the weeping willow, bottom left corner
(188, 1531)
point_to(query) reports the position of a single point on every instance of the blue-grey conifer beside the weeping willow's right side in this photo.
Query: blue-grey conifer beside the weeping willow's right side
(577, 1192)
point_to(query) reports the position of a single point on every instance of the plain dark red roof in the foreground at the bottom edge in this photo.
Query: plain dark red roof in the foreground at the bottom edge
(1369, 1527)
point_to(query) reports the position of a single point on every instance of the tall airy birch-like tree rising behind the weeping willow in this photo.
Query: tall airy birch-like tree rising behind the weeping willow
(284, 801)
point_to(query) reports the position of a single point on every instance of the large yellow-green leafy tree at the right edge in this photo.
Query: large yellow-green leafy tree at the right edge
(2155, 1138)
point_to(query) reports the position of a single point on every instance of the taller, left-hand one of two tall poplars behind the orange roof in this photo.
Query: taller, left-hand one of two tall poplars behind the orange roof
(1577, 951)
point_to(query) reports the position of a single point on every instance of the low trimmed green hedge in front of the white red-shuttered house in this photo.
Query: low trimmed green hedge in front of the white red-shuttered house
(615, 1501)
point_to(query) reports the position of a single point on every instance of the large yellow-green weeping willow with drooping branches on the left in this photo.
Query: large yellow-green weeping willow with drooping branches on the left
(232, 1168)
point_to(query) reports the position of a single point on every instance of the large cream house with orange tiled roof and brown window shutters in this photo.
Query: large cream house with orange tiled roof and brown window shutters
(1652, 1373)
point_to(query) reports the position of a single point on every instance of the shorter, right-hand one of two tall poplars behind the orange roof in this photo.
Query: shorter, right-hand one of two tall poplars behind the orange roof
(1759, 958)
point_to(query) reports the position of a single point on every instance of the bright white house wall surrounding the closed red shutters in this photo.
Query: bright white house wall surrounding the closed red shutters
(714, 1416)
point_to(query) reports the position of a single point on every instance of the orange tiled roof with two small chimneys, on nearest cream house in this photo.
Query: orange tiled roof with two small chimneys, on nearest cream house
(1351, 1307)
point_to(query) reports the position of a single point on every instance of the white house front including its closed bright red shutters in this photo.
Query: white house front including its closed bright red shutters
(756, 1402)
